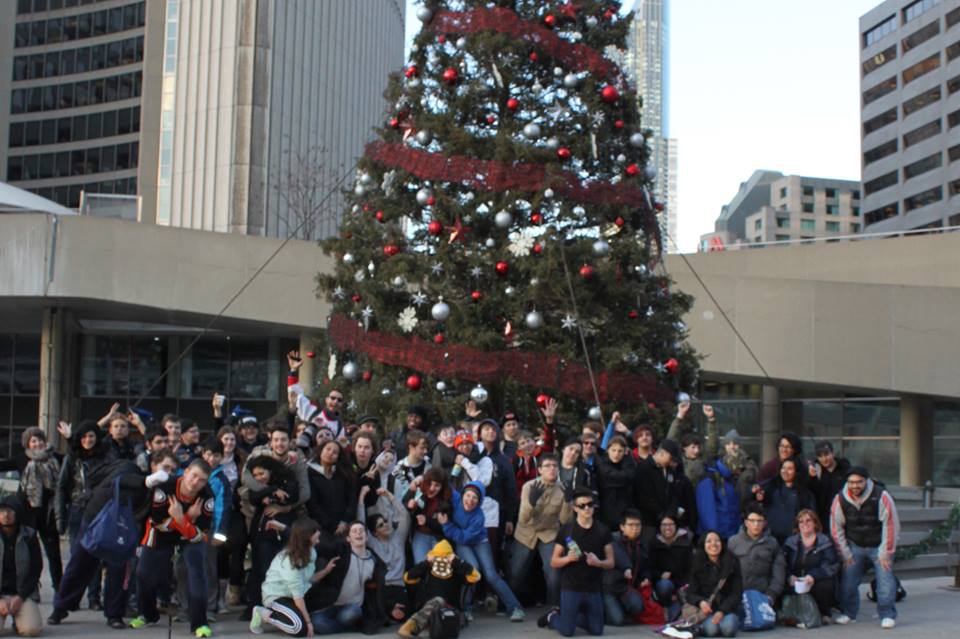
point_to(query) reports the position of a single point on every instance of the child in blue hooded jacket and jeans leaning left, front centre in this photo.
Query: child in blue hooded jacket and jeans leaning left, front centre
(465, 528)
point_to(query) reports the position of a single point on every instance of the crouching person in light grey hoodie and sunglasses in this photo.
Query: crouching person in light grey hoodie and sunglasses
(387, 538)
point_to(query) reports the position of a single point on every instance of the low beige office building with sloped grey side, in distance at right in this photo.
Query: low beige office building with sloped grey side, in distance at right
(772, 207)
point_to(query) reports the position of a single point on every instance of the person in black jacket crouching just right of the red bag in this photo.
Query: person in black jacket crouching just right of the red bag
(671, 552)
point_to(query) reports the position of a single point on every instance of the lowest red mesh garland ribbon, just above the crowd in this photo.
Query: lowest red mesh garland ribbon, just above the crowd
(539, 370)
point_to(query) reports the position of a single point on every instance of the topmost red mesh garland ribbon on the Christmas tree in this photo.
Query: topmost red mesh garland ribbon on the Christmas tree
(577, 57)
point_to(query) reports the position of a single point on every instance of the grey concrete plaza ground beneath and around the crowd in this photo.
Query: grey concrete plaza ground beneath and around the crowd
(929, 612)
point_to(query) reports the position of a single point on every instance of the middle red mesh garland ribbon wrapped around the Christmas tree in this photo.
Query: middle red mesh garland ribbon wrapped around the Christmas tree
(489, 175)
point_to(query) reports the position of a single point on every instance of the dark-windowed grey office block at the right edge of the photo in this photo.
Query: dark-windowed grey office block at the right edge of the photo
(910, 114)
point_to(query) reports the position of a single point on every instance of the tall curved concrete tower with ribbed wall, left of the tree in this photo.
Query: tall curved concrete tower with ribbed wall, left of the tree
(203, 108)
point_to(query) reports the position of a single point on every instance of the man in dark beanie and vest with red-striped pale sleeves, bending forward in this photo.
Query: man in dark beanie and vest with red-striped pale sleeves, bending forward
(865, 526)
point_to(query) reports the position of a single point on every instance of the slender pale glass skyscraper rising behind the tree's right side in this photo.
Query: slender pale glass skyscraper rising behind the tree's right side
(647, 64)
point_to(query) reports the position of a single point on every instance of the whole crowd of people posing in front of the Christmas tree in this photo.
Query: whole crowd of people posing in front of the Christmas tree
(310, 525)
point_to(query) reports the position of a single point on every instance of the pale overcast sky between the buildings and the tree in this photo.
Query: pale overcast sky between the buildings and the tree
(758, 84)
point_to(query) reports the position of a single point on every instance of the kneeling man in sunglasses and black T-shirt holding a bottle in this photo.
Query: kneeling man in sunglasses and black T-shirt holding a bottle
(582, 552)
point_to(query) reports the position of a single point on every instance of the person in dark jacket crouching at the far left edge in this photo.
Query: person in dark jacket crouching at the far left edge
(21, 565)
